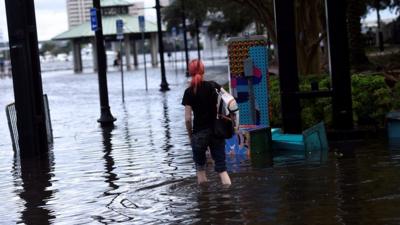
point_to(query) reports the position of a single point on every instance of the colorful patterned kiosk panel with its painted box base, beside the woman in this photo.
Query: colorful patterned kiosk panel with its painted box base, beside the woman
(248, 73)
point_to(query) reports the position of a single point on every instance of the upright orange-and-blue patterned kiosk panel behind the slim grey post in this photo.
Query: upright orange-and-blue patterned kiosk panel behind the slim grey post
(238, 50)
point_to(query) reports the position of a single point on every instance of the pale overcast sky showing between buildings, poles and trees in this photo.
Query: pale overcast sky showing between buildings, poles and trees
(51, 17)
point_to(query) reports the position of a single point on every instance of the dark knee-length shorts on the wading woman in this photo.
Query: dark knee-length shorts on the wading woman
(203, 139)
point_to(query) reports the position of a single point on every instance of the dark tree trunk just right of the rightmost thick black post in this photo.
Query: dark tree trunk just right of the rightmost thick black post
(358, 58)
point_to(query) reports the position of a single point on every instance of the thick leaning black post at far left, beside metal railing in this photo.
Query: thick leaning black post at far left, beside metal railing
(27, 78)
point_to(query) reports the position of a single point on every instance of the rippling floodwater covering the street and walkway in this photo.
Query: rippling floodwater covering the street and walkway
(141, 171)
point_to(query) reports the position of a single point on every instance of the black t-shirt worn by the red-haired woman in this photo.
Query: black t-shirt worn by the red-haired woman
(203, 104)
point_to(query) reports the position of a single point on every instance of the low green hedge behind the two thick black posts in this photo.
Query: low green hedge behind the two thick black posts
(372, 100)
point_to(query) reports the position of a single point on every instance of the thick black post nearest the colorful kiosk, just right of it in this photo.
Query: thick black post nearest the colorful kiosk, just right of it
(288, 72)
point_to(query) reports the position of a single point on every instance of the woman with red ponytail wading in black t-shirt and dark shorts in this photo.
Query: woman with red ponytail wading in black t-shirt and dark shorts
(201, 99)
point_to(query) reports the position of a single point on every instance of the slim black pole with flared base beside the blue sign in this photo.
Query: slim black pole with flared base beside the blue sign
(106, 118)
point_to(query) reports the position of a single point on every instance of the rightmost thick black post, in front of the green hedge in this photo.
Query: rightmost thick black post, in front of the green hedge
(339, 64)
